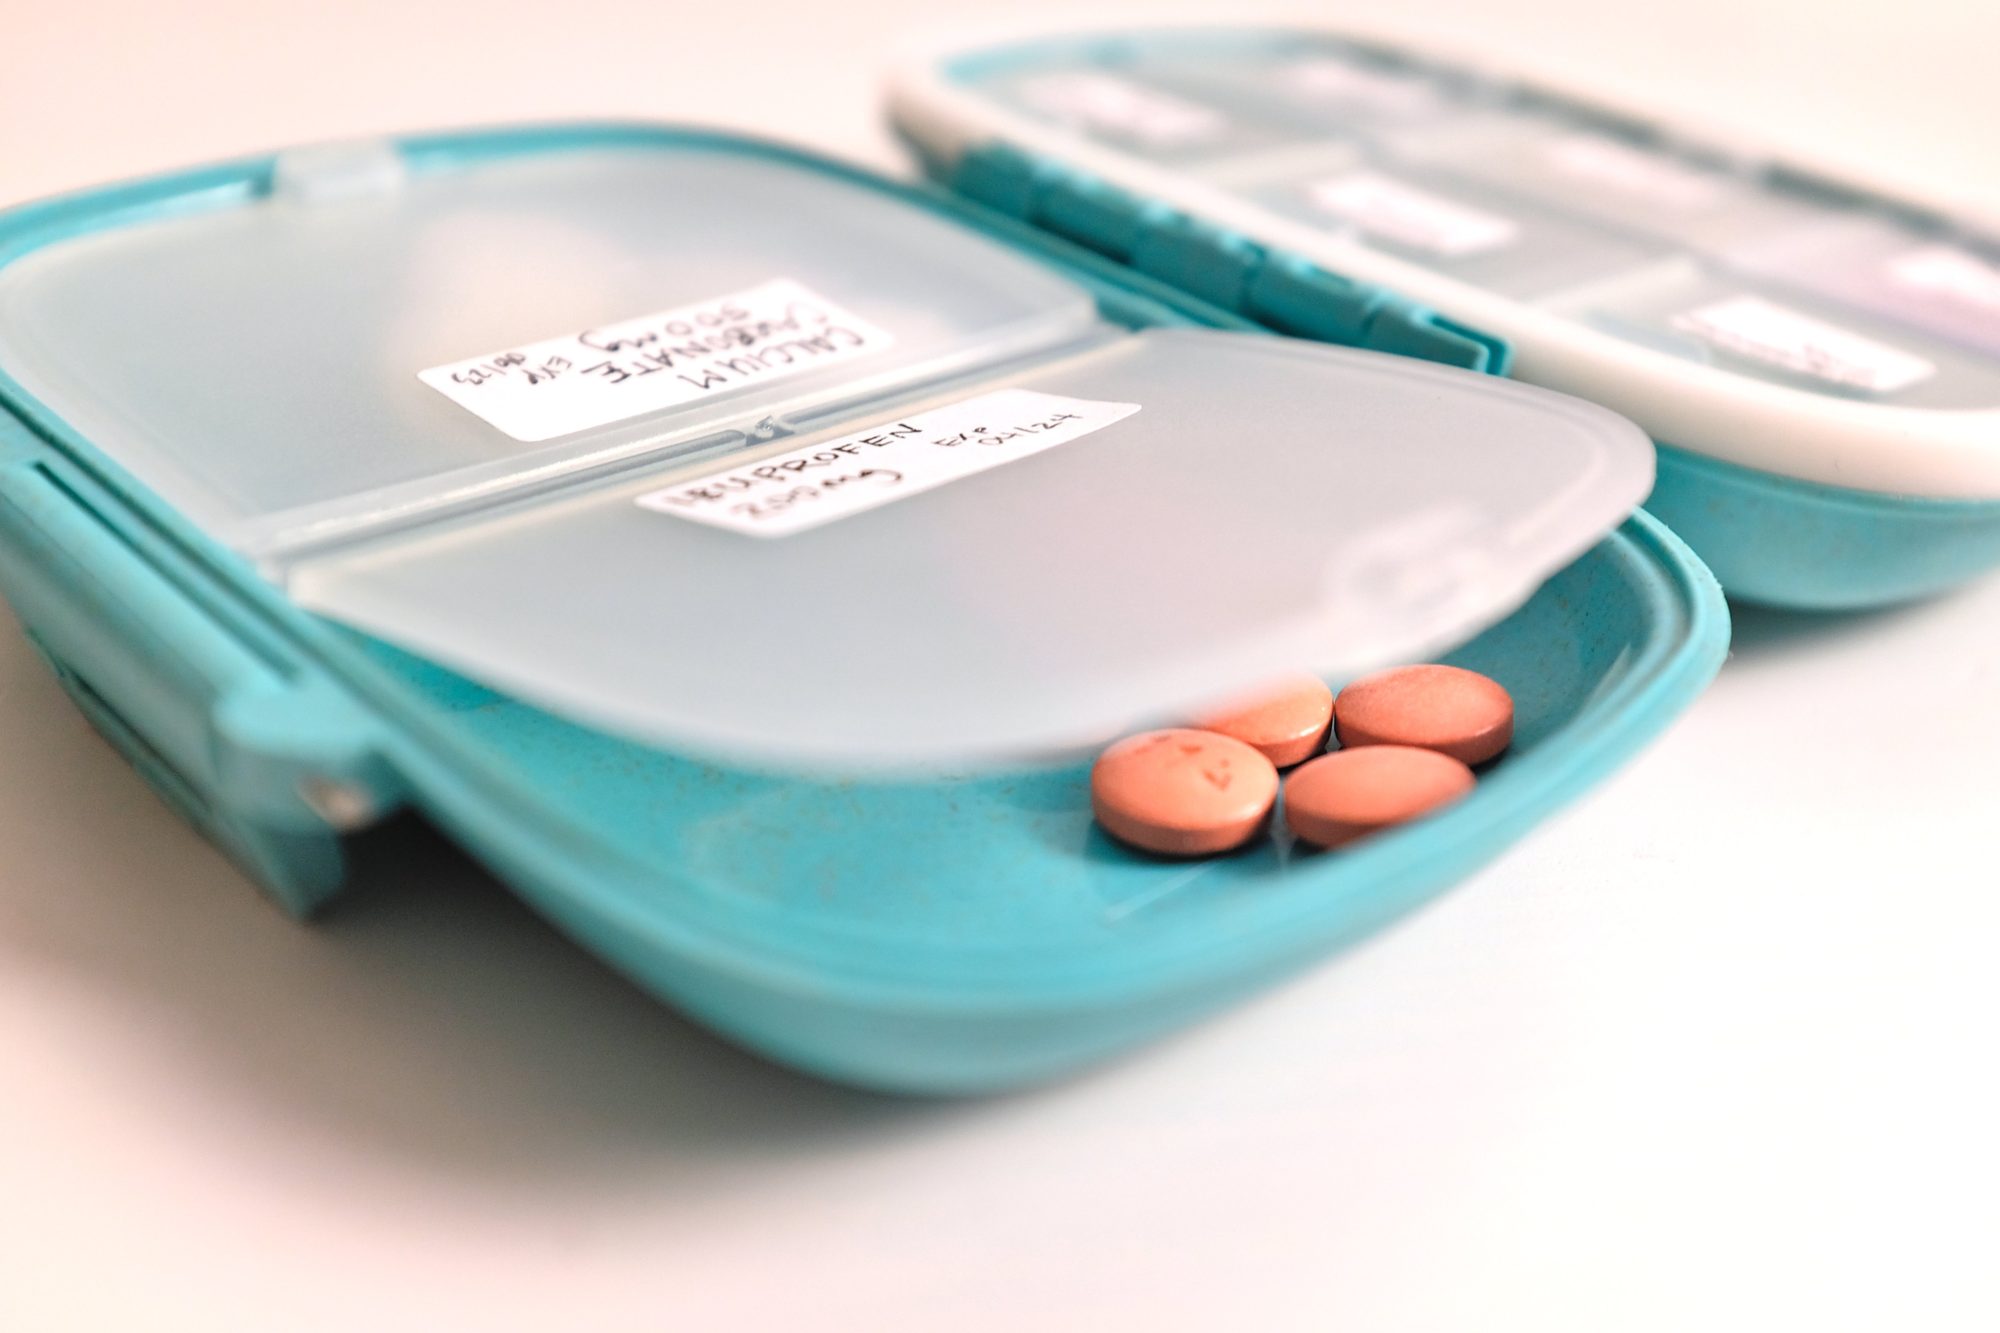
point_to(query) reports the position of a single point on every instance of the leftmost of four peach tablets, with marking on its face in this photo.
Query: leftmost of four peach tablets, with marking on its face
(1181, 792)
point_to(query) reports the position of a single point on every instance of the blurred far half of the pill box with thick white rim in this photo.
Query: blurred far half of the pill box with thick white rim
(1817, 359)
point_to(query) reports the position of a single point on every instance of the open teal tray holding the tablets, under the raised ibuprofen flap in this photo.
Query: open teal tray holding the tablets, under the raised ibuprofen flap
(973, 936)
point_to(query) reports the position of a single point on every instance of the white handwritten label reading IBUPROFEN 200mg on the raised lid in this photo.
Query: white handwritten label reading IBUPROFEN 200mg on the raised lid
(891, 461)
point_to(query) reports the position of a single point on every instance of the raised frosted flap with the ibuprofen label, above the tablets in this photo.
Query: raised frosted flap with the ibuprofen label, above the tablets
(1021, 567)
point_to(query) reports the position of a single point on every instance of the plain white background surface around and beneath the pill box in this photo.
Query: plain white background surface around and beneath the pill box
(1709, 1054)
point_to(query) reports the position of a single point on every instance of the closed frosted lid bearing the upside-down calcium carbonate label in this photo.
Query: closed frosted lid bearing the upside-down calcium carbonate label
(255, 355)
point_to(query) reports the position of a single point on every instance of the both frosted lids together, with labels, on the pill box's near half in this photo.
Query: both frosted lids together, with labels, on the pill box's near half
(737, 455)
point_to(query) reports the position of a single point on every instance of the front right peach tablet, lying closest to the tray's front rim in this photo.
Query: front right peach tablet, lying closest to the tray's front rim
(1353, 794)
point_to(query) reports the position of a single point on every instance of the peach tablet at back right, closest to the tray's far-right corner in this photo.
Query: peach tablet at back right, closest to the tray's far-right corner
(1445, 710)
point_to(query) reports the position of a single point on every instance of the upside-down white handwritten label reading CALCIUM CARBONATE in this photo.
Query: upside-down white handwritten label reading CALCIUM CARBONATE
(655, 361)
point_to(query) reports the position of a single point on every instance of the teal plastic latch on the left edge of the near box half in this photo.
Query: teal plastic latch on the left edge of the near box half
(259, 750)
